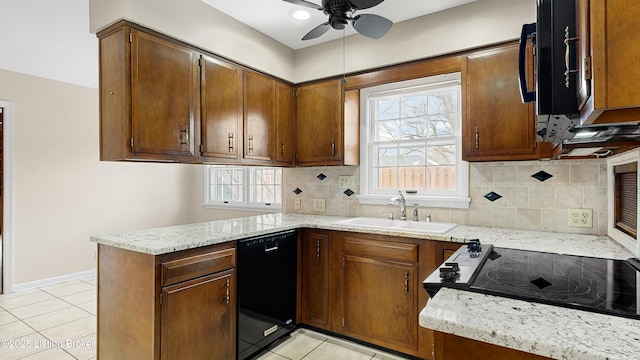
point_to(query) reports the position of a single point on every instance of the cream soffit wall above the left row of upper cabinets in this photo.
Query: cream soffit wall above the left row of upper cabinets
(199, 24)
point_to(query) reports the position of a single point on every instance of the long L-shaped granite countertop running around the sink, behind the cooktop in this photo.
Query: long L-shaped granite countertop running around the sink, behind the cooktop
(169, 239)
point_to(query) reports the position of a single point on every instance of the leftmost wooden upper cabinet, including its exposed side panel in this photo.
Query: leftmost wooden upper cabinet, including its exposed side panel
(149, 97)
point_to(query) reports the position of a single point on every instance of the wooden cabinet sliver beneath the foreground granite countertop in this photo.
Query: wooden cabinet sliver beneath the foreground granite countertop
(451, 347)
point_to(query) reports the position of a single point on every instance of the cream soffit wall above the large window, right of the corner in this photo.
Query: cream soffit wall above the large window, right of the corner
(479, 23)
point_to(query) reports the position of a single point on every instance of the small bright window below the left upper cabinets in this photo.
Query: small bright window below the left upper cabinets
(243, 187)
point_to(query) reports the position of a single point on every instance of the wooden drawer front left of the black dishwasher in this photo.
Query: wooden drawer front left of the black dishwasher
(195, 266)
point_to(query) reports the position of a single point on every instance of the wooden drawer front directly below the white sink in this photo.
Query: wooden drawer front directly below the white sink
(388, 250)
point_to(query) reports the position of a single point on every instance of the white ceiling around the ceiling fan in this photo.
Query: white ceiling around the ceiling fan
(271, 17)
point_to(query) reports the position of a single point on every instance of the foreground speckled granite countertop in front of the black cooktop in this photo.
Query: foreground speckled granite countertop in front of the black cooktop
(551, 331)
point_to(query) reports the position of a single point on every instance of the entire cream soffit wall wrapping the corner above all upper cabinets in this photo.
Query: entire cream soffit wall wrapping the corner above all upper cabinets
(475, 24)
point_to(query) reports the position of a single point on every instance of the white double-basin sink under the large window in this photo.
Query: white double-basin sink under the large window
(387, 224)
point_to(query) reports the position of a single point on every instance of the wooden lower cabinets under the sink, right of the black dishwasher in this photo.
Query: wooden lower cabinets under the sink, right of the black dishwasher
(368, 288)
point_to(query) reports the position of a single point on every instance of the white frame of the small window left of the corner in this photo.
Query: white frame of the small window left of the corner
(247, 188)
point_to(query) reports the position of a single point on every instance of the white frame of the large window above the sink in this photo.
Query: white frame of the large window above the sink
(459, 198)
